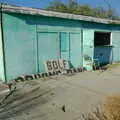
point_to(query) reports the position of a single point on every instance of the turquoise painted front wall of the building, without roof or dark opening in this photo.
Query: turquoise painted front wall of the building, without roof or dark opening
(28, 42)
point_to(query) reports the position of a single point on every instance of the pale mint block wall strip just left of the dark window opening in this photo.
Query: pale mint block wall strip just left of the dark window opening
(88, 48)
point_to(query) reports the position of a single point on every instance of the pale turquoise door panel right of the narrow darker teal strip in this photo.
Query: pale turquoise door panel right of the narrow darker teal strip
(75, 50)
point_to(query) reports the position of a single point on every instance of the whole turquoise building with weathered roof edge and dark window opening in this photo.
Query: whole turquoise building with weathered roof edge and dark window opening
(29, 37)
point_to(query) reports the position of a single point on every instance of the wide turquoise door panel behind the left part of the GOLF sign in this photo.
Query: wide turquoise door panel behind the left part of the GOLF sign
(48, 48)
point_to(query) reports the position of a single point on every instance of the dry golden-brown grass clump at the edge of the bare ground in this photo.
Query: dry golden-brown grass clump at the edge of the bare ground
(109, 111)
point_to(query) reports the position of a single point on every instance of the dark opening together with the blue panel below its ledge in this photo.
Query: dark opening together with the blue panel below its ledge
(103, 47)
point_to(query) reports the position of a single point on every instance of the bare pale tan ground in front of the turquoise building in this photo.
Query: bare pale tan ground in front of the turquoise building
(44, 99)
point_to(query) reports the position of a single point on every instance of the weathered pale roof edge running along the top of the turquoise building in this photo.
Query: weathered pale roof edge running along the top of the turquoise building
(33, 11)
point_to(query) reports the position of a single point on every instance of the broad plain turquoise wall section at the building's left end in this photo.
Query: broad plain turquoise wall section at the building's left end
(20, 46)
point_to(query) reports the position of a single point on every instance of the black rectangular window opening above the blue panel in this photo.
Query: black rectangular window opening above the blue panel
(102, 38)
